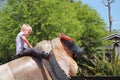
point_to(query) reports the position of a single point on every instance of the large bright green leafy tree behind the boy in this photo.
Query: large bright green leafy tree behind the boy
(47, 18)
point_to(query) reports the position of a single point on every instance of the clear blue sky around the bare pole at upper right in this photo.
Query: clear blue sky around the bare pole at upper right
(103, 11)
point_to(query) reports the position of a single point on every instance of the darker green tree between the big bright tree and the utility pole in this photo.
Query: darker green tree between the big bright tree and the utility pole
(93, 26)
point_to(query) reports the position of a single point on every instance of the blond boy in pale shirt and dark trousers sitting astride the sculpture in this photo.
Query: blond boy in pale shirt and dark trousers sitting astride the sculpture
(22, 44)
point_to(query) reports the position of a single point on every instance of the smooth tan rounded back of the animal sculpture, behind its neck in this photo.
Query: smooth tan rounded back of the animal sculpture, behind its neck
(25, 68)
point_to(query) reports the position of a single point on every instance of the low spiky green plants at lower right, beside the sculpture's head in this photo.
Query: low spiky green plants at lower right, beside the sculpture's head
(95, 66)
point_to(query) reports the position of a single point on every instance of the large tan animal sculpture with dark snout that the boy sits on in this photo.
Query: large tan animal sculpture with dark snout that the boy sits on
(61, 65)
